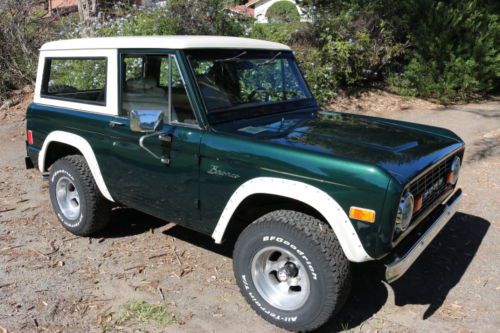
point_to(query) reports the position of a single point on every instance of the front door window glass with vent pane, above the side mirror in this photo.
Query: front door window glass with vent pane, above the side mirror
(145, 86)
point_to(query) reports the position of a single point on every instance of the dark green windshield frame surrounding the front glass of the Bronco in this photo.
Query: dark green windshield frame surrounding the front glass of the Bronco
(246, 111)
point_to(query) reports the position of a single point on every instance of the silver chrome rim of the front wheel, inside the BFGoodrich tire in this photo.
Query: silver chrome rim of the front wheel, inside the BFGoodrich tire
(280, 278)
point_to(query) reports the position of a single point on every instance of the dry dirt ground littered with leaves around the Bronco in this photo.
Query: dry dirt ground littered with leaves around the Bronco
(51, 281)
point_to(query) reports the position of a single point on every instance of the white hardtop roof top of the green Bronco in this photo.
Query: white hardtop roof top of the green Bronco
(163, 42)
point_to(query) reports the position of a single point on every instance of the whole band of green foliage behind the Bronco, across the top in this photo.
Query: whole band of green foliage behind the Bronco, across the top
(444, 50)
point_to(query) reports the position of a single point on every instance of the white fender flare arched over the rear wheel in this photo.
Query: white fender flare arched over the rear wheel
(84, 147)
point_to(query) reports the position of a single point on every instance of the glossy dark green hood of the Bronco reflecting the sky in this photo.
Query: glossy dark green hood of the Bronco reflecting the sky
(402, 149)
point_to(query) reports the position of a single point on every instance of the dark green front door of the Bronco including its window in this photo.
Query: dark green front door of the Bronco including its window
(161, 176)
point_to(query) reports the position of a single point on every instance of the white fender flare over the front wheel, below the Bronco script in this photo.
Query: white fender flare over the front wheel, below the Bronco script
(310, 195)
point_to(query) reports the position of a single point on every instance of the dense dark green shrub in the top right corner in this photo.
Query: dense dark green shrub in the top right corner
(454, 54)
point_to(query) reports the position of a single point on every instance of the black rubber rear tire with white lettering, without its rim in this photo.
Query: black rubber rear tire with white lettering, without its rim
(95, 210)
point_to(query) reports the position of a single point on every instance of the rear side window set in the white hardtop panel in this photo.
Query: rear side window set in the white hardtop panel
(75, 79)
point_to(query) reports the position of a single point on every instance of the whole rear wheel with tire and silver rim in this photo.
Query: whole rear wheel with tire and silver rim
(75, 197)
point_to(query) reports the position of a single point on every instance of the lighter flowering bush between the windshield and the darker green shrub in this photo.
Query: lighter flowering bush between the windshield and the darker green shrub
(354, 45)
